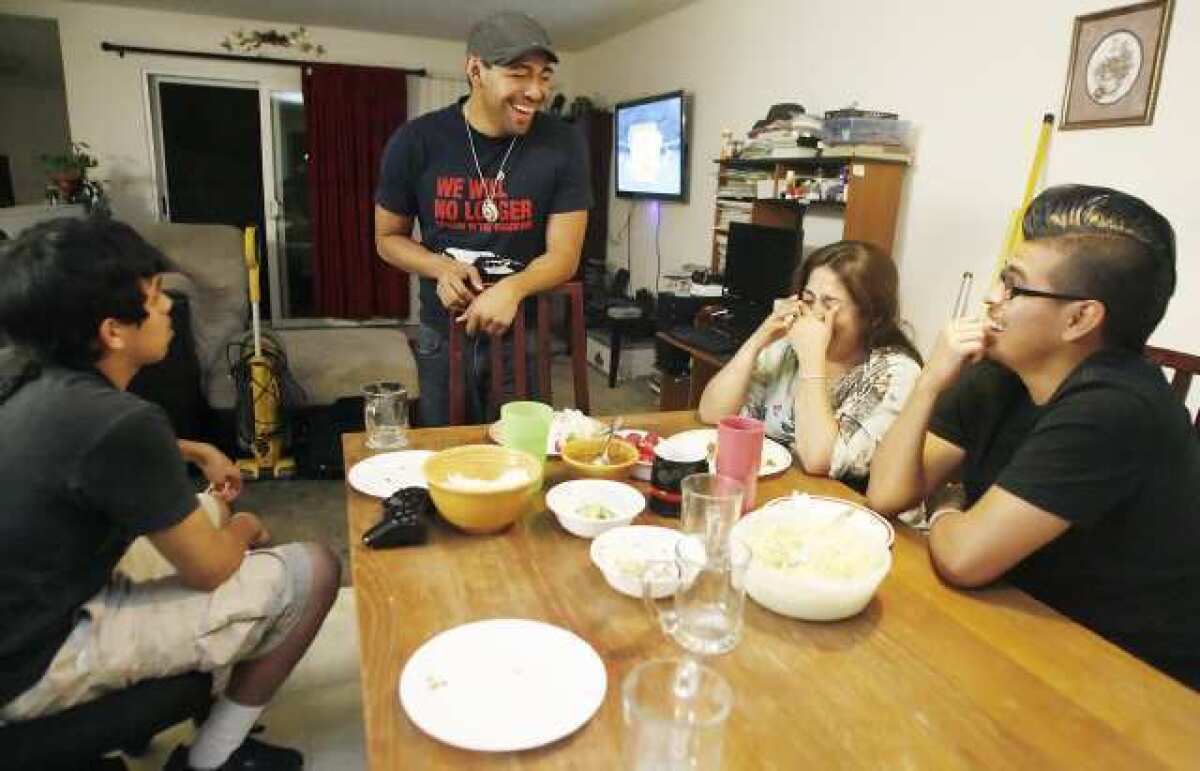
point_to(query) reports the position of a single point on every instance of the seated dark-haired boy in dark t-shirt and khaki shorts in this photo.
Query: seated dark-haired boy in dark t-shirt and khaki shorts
(86, 468)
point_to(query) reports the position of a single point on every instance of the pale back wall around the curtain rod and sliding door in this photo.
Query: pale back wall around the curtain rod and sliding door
(106, 94)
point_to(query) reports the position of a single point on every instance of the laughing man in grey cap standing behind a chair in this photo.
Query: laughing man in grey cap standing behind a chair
(489, 174)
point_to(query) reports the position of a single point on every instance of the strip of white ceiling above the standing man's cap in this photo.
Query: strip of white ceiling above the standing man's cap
(573, 25)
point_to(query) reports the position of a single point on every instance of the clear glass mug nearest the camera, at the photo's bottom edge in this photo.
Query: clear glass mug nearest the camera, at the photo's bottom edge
(674, 730)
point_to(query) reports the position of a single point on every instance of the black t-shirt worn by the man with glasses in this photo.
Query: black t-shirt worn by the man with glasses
(1113, 452)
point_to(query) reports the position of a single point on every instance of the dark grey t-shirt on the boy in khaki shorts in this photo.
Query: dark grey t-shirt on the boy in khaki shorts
(85, 469)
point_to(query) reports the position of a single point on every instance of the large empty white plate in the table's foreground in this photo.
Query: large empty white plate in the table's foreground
(503, 685)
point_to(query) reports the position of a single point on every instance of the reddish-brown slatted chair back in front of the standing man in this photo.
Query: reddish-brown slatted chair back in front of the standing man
(574, 294)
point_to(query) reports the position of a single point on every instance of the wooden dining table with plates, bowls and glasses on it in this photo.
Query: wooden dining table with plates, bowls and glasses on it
(927, 677)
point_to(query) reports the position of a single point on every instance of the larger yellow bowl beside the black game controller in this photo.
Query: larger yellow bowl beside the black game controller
(483, 488)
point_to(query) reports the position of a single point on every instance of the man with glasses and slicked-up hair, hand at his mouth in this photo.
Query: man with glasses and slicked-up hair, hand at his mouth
(1081, 465)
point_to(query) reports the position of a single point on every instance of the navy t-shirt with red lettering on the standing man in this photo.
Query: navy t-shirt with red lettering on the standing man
(428, 172)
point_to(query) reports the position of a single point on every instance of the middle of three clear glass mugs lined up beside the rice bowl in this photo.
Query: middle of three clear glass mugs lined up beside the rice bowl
(706, 618)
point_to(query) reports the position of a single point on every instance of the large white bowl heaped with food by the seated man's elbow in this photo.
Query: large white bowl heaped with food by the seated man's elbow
(814, 558)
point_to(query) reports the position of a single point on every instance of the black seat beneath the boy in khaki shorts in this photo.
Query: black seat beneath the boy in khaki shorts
(127, 720)
